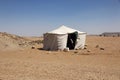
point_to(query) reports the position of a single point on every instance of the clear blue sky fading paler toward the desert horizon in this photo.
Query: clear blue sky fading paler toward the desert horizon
(35, 17)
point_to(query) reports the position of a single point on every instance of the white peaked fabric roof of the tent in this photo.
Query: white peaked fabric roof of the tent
(64, 30)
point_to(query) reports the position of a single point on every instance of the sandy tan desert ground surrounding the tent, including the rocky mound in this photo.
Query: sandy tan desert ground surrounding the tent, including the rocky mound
(22, 58)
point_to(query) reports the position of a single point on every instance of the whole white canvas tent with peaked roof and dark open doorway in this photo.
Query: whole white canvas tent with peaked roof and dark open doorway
(64, 37)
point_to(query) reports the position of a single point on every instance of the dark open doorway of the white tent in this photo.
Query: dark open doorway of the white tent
(71, 41)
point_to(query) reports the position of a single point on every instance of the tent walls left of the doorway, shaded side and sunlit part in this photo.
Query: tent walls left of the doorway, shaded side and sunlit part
(54, 41)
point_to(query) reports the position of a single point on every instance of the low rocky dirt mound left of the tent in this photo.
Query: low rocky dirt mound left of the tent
(10, 41)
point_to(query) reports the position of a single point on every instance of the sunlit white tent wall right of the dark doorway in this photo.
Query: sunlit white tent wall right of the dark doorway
(80, 41)
